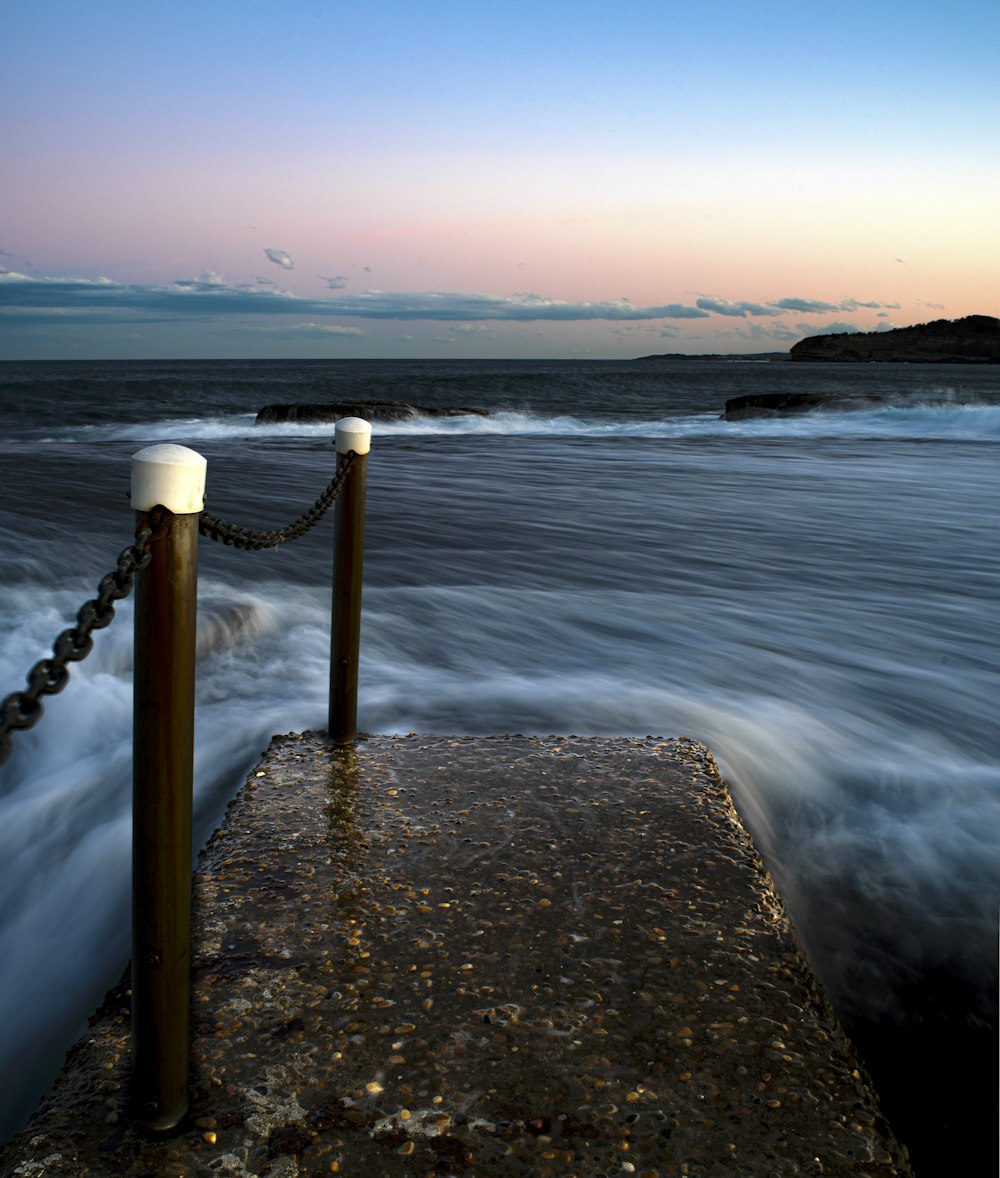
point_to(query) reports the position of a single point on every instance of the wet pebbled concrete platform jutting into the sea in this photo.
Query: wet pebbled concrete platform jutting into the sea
(485, 957)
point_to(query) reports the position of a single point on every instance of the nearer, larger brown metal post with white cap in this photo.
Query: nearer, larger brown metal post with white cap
(171, 478)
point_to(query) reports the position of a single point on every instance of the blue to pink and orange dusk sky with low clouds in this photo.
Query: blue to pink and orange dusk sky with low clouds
(482, 180)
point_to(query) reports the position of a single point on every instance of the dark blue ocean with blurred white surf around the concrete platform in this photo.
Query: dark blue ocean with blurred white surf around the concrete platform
(816, 598)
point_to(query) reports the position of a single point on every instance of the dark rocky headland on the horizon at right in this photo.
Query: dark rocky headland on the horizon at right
(975, 340)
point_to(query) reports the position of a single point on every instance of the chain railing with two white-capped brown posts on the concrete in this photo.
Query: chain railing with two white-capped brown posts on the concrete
(168, 494)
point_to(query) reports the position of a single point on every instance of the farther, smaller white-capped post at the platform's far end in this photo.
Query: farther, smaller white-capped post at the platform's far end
(354, 435)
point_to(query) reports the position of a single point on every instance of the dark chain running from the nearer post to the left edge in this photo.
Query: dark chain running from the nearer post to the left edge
(22, 710)
